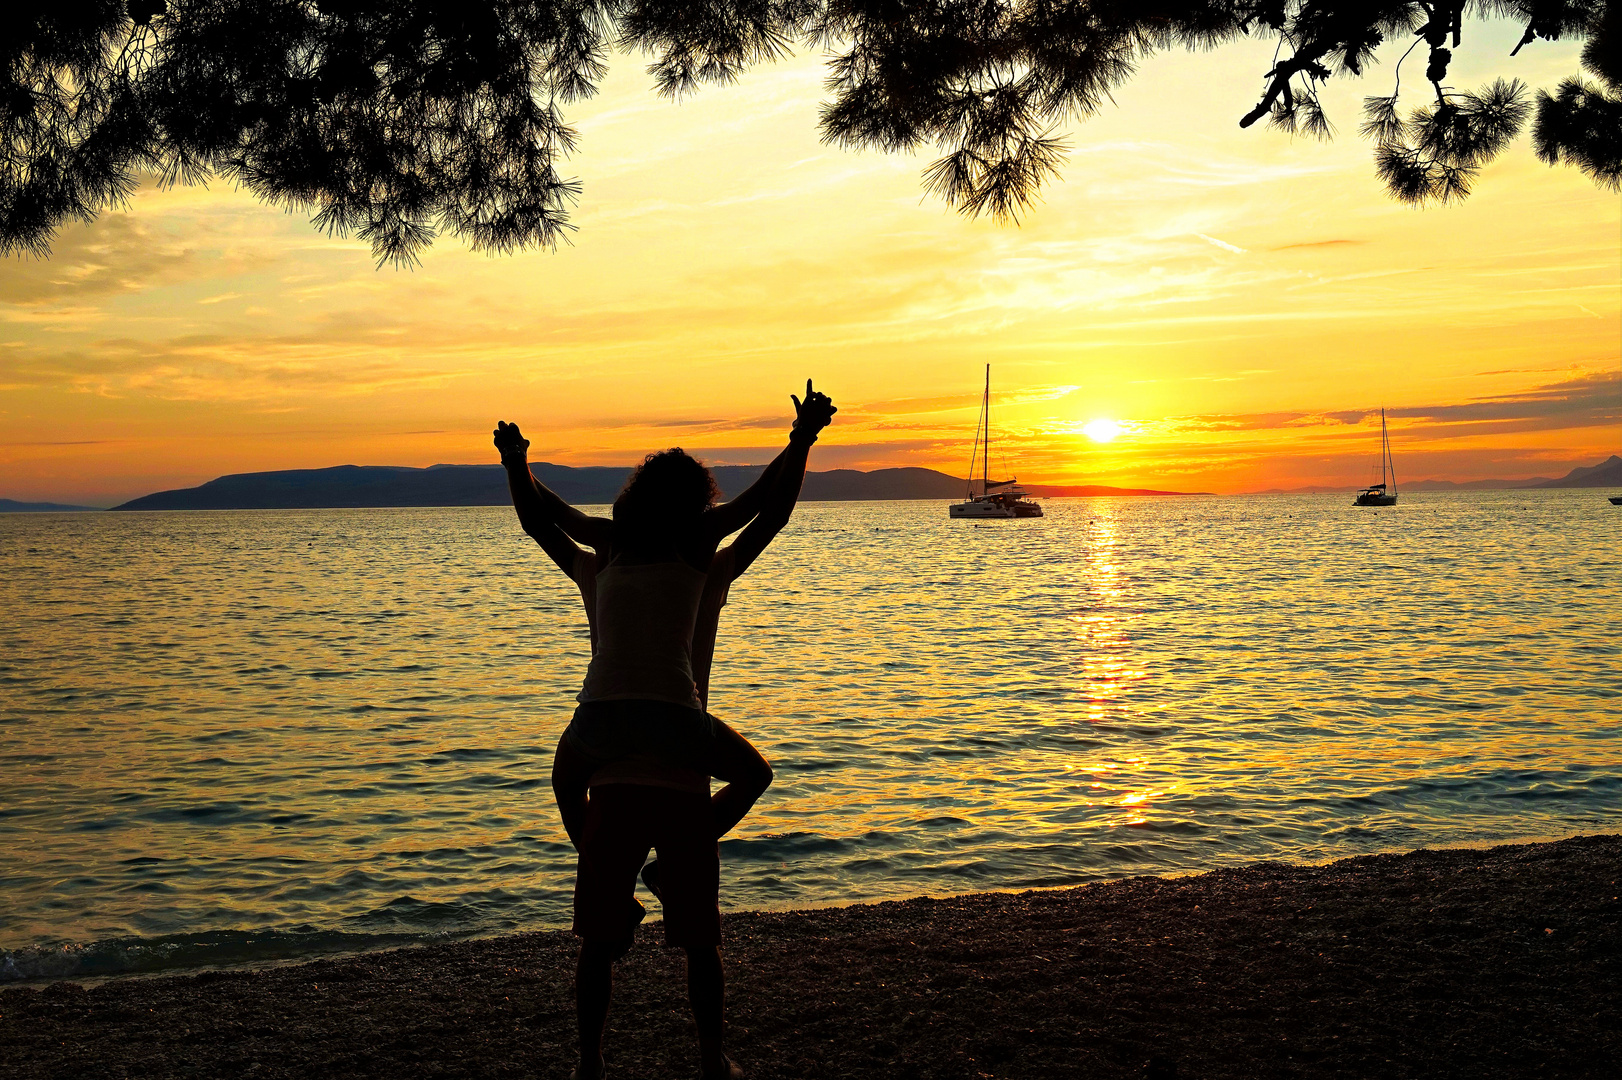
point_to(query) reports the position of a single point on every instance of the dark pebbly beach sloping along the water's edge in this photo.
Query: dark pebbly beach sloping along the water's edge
(1501, 962)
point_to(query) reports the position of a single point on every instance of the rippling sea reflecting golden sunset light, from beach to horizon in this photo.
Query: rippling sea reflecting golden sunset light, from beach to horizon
(251, 735)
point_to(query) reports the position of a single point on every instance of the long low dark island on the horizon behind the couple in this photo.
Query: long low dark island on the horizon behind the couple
(486, 486)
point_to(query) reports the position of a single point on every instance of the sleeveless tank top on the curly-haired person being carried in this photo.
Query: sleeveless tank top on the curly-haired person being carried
(643, 627)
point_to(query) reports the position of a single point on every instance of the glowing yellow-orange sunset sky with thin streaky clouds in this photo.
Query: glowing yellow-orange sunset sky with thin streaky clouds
(1237, 301)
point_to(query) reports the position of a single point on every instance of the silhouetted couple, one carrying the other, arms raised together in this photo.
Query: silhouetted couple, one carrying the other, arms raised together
(632, 771)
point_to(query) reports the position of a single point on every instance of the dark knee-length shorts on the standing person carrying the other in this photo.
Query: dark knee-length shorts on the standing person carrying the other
(622, 823)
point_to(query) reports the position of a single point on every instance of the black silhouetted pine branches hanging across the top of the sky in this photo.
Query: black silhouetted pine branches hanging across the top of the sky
(400, 119)
